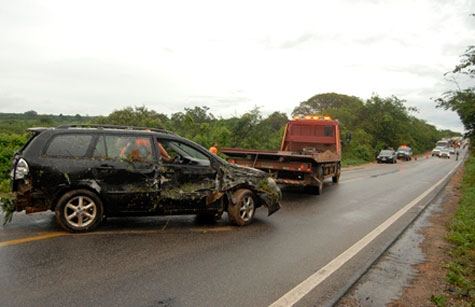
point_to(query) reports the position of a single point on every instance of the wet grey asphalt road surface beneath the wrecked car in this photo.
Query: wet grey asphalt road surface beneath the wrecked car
(177, 261)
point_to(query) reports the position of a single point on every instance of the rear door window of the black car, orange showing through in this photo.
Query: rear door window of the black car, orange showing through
(130, 148)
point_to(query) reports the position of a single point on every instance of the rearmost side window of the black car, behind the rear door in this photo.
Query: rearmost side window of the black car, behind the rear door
(69, 145)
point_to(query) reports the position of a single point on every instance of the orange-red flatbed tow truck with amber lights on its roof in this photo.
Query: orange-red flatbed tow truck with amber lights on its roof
(310, 153)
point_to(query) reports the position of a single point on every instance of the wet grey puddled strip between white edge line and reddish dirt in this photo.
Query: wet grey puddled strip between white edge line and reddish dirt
(386, 279)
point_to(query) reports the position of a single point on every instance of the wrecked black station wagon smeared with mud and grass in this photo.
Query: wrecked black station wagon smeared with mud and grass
(86, 172)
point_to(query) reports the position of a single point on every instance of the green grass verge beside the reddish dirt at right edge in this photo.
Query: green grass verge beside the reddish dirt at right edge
(462, 236)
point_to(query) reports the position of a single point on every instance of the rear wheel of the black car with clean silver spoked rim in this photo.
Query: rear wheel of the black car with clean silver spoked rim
(79, 211)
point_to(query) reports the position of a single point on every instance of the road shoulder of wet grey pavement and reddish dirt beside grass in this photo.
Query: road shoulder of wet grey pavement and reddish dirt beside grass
(410, 272)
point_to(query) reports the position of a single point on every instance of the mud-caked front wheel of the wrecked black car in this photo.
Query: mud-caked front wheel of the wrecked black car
(242, 211)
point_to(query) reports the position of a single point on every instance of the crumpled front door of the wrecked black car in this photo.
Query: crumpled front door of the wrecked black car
(187, 179)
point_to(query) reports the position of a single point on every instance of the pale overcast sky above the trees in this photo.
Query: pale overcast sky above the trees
(94, 57)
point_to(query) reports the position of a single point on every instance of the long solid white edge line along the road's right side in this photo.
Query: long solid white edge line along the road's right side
(302, 289)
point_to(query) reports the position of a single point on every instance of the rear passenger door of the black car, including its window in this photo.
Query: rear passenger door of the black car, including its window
(126, 169)
